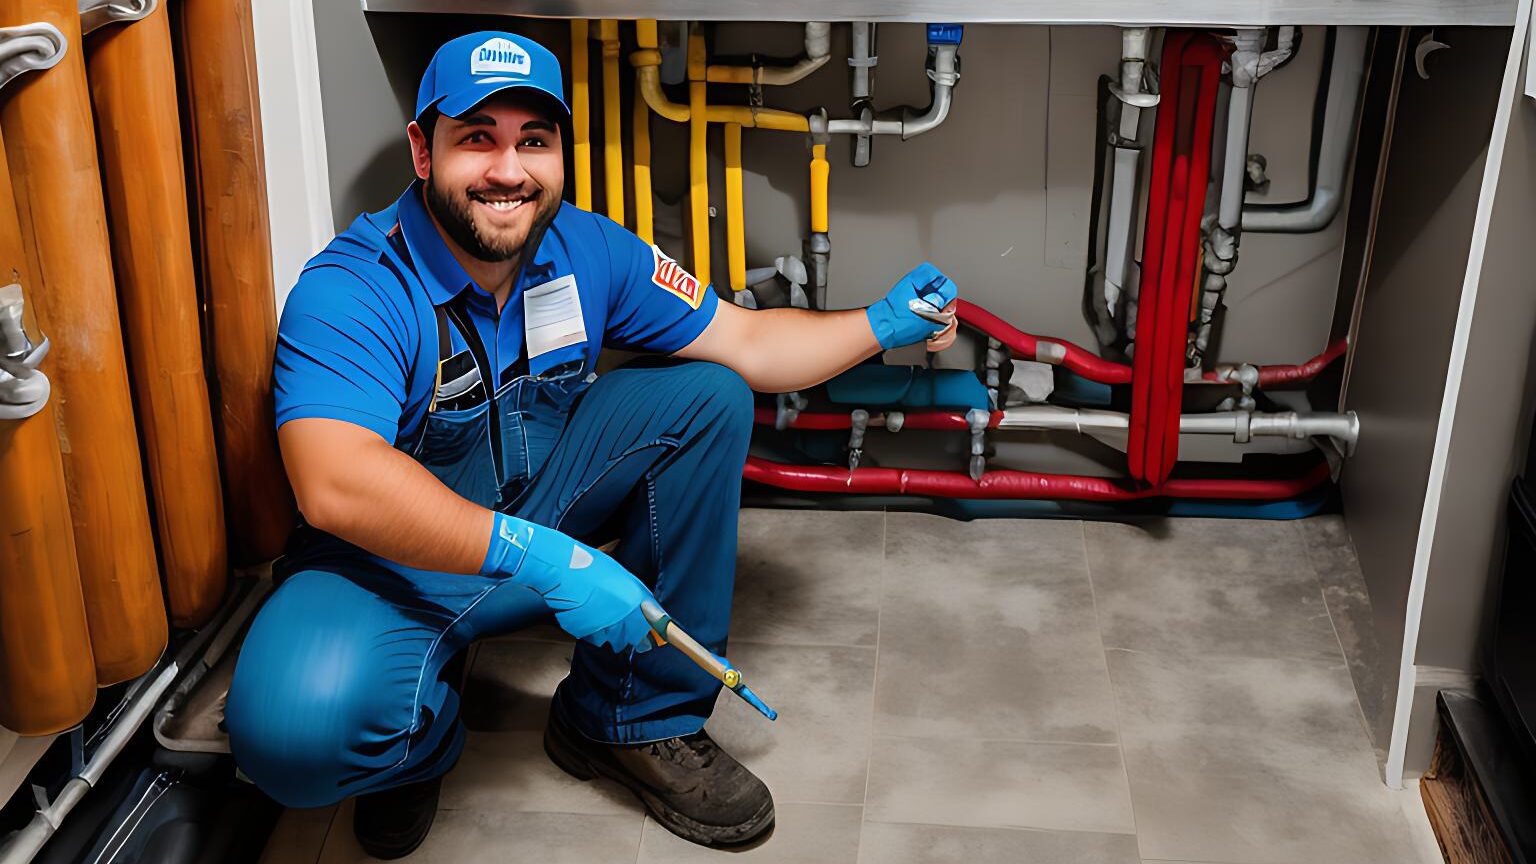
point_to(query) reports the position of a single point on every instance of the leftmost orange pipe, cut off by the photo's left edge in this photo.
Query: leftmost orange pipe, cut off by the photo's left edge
(47, 673)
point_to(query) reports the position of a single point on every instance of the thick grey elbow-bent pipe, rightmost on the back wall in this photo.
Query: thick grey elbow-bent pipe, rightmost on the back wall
(1314, 213)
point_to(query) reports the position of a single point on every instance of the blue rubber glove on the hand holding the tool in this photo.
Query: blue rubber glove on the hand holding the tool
(592, 596)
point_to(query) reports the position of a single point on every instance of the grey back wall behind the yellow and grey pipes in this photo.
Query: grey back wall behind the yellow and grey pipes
(999, 196)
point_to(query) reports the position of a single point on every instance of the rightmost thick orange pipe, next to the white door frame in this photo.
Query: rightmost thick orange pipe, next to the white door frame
(220, 70)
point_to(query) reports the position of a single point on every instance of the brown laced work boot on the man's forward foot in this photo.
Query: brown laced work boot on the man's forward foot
(689, 785)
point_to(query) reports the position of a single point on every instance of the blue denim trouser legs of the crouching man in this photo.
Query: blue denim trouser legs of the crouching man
(340, 688)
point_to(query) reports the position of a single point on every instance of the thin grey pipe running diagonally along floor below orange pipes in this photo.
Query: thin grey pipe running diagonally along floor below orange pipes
(22, 846)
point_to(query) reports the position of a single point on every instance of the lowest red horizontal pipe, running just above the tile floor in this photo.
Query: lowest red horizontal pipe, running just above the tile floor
(1018, 485)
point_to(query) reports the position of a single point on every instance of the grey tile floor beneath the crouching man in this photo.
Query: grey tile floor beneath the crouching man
(1051, 693)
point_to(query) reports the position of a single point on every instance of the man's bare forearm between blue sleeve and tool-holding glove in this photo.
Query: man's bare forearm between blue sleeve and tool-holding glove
(354, 485)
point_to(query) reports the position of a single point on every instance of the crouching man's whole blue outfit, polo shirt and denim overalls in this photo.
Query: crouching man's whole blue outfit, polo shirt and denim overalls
(340, 686)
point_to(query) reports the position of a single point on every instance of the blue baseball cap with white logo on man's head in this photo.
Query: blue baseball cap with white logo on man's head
(472, 68)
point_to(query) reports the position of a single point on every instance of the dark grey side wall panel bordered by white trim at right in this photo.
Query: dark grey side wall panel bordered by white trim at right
(1403, 345)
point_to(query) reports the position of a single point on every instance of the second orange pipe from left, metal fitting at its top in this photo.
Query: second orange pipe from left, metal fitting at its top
(51, 147)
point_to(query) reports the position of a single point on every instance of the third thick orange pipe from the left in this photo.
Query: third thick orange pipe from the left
(134, 93)
